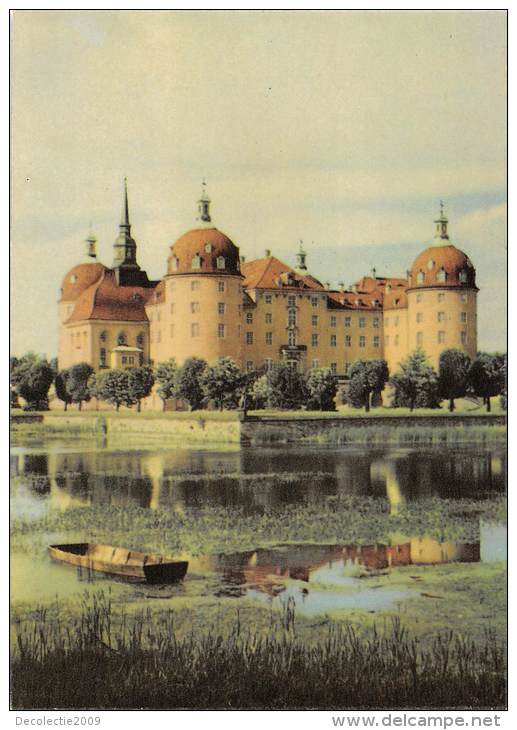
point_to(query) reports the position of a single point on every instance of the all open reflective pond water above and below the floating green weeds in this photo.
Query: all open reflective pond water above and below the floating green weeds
(58, 474)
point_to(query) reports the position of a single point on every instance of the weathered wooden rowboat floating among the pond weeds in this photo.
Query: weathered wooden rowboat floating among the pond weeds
(121, 562)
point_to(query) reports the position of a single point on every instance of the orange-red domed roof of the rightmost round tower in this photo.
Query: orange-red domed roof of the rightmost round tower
(442, 266)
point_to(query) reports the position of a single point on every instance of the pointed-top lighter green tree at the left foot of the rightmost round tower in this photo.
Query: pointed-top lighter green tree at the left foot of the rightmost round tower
(416, 383)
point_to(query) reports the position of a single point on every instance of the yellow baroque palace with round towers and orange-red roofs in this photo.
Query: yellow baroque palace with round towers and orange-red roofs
(212, 303)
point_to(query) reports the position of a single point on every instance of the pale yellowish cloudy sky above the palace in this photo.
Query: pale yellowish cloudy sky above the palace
(341, 129)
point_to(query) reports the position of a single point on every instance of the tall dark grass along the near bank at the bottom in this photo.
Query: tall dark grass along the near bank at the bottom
(102, 660)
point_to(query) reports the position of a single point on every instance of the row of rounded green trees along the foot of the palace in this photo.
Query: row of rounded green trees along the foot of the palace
(224, 385)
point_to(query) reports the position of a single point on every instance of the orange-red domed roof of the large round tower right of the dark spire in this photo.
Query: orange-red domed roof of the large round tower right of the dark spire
(204, 250)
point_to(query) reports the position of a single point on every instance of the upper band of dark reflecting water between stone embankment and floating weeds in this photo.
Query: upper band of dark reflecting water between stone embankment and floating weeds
(252, 479)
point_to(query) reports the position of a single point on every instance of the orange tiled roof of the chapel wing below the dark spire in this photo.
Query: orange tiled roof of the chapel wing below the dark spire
(105, 300)
